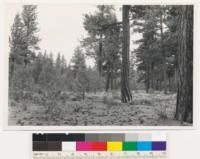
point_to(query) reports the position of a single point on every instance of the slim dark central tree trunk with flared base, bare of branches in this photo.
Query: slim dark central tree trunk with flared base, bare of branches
(125, 89)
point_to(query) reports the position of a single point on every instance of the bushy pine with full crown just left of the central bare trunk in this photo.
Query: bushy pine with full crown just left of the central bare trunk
(104, 43)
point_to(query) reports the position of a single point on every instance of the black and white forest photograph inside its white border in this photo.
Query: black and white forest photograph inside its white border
(100, 65)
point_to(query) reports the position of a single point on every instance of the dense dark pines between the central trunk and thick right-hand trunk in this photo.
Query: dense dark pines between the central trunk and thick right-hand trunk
(158, 28)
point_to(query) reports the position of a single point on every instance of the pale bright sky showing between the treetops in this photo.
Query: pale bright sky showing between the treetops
(61, 26)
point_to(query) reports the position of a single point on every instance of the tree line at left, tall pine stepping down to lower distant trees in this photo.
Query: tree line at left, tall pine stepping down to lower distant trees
(30, 70)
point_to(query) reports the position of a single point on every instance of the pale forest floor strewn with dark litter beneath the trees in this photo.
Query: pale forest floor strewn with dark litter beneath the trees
(147, 109)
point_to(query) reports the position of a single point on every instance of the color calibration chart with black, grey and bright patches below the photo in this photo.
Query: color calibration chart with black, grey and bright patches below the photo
(100, 146)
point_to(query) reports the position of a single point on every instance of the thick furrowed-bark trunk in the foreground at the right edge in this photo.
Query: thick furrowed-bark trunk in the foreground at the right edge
(184, 105)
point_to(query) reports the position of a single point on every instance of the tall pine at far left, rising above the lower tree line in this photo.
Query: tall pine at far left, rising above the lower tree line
(23, 43)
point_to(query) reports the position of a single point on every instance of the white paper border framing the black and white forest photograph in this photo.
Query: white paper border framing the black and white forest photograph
(196, 69)
